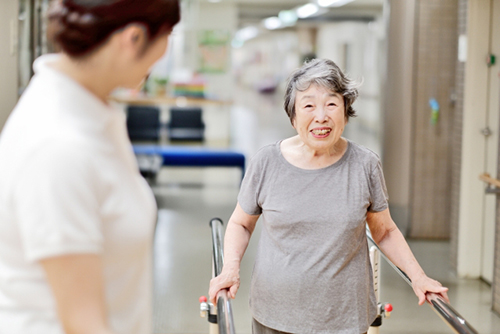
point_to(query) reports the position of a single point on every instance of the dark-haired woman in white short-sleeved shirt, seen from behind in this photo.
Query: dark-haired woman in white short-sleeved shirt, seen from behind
(77, 218)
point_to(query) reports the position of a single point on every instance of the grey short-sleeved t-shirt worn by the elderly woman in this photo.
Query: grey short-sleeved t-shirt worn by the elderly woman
(312, 272)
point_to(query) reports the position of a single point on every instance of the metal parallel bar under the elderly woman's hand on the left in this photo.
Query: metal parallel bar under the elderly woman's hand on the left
(224, 309)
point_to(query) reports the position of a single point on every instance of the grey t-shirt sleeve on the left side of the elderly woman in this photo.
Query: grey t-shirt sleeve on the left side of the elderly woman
(250, 187)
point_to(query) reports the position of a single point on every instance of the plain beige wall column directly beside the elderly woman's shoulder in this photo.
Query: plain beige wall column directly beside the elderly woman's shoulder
(397, 108)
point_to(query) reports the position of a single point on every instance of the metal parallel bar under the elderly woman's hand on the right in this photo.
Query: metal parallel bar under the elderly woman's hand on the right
(447, 313)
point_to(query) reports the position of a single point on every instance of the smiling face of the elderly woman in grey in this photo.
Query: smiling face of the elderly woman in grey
(319, 117)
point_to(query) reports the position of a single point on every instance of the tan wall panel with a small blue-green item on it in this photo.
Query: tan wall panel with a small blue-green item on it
(434, 78)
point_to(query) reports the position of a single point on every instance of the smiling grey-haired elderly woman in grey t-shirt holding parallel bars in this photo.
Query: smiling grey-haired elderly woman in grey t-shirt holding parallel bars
(315, 192)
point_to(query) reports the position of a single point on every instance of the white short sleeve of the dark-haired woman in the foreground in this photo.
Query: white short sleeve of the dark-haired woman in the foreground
(56, 204)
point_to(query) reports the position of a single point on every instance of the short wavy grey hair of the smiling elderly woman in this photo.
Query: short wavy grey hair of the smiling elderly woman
(323, 72)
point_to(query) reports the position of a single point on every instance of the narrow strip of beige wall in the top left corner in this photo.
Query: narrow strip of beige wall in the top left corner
(8, 58)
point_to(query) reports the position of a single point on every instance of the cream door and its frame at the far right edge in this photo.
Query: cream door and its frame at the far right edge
(480, 141)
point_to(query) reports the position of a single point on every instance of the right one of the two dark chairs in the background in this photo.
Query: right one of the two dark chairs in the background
(186, 124)
